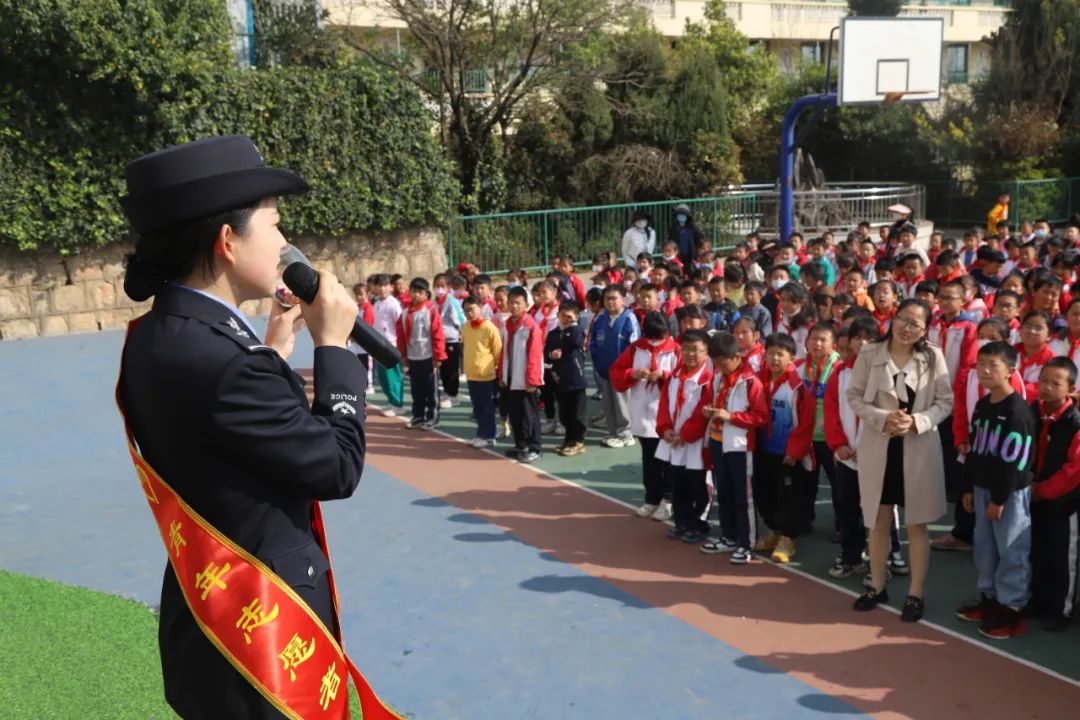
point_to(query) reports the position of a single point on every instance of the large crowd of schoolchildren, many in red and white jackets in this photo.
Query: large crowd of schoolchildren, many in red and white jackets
(732, 375)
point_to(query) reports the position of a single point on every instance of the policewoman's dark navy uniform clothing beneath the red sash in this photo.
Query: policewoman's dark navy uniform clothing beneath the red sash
(225, 422)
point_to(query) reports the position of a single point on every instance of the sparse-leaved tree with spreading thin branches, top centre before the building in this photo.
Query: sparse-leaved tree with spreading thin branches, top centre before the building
(514, 49)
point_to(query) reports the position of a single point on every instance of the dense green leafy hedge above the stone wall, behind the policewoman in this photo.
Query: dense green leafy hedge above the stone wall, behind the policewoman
(87, 86)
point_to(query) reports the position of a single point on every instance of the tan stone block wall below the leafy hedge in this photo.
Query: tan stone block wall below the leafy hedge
(47, 294)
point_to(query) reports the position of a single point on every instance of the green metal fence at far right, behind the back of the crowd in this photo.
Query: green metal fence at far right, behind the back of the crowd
(962, 205)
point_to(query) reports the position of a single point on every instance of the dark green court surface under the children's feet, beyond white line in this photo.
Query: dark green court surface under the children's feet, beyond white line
(617, 474)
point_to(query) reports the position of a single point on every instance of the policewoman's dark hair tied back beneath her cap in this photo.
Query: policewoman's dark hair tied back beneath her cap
(175, 253)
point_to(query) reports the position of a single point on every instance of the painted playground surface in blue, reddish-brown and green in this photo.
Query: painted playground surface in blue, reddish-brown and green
(476, 588)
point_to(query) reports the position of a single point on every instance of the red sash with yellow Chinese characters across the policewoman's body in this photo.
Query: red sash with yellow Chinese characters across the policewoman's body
(266, 632)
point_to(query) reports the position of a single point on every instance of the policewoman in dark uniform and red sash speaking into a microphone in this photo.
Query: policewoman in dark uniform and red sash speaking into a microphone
(232, 458)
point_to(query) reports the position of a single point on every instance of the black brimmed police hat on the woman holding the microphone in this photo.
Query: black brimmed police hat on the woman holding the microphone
(190, 182)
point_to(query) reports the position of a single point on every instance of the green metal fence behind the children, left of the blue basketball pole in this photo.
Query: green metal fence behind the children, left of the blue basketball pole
(497, 243)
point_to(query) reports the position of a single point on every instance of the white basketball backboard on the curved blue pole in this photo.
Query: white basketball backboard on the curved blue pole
(890, 60)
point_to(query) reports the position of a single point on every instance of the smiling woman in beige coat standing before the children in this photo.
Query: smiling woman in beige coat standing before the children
(900, 390)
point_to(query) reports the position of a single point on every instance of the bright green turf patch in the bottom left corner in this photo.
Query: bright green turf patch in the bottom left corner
(70, 653)
